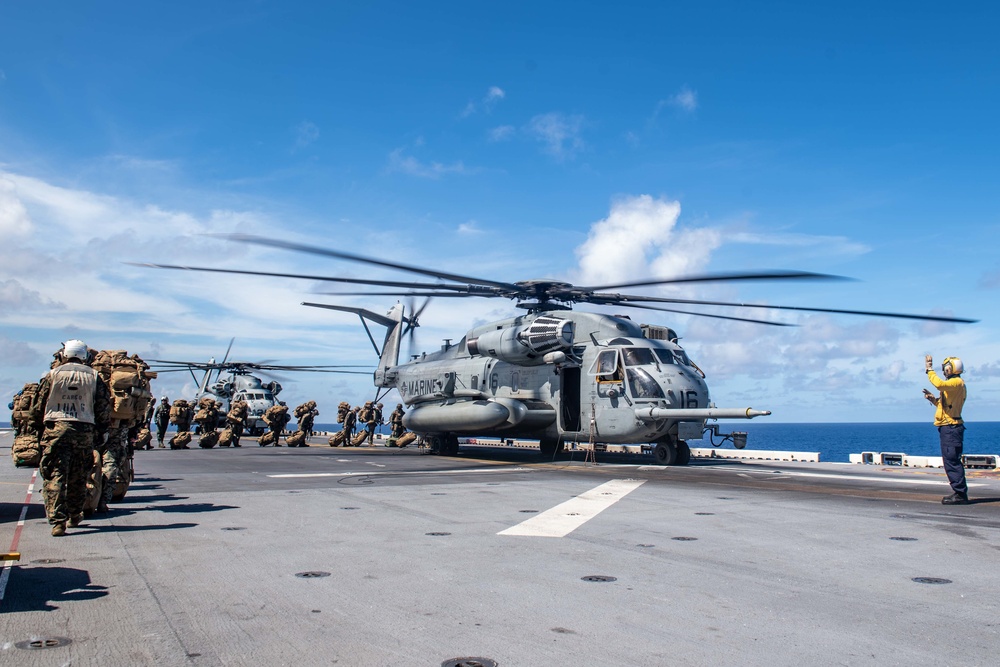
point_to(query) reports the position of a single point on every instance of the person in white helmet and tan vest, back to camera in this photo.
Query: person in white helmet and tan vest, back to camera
(73, 410)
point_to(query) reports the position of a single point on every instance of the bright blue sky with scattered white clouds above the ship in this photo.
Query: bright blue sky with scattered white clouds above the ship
(583, 141)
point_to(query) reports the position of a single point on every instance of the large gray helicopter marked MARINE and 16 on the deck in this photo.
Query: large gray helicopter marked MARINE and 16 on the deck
(551, 374)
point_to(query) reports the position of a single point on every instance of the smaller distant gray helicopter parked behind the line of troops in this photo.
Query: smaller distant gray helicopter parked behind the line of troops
(240, 384)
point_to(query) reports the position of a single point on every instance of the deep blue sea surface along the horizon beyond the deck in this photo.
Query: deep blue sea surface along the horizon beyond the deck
(835, 442)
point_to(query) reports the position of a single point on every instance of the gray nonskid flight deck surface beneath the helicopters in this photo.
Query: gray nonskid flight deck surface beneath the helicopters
(198, 565)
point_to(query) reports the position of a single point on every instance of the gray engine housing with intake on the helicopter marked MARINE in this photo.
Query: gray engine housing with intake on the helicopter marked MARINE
(525, 346)
